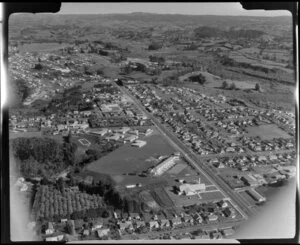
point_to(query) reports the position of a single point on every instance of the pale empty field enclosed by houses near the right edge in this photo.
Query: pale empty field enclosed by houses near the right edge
(267, 132)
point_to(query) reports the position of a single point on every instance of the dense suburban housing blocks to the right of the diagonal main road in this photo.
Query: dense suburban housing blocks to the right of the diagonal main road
(234, 120)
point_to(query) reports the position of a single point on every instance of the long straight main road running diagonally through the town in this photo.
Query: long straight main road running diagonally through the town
(240, 204)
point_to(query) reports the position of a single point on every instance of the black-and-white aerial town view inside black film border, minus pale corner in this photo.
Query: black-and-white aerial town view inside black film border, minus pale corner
(148, 121)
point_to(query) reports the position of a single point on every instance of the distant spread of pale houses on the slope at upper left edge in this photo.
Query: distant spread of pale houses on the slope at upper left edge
(57, 73)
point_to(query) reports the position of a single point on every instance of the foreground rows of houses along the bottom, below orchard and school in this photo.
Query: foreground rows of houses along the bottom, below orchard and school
(127, 223)
